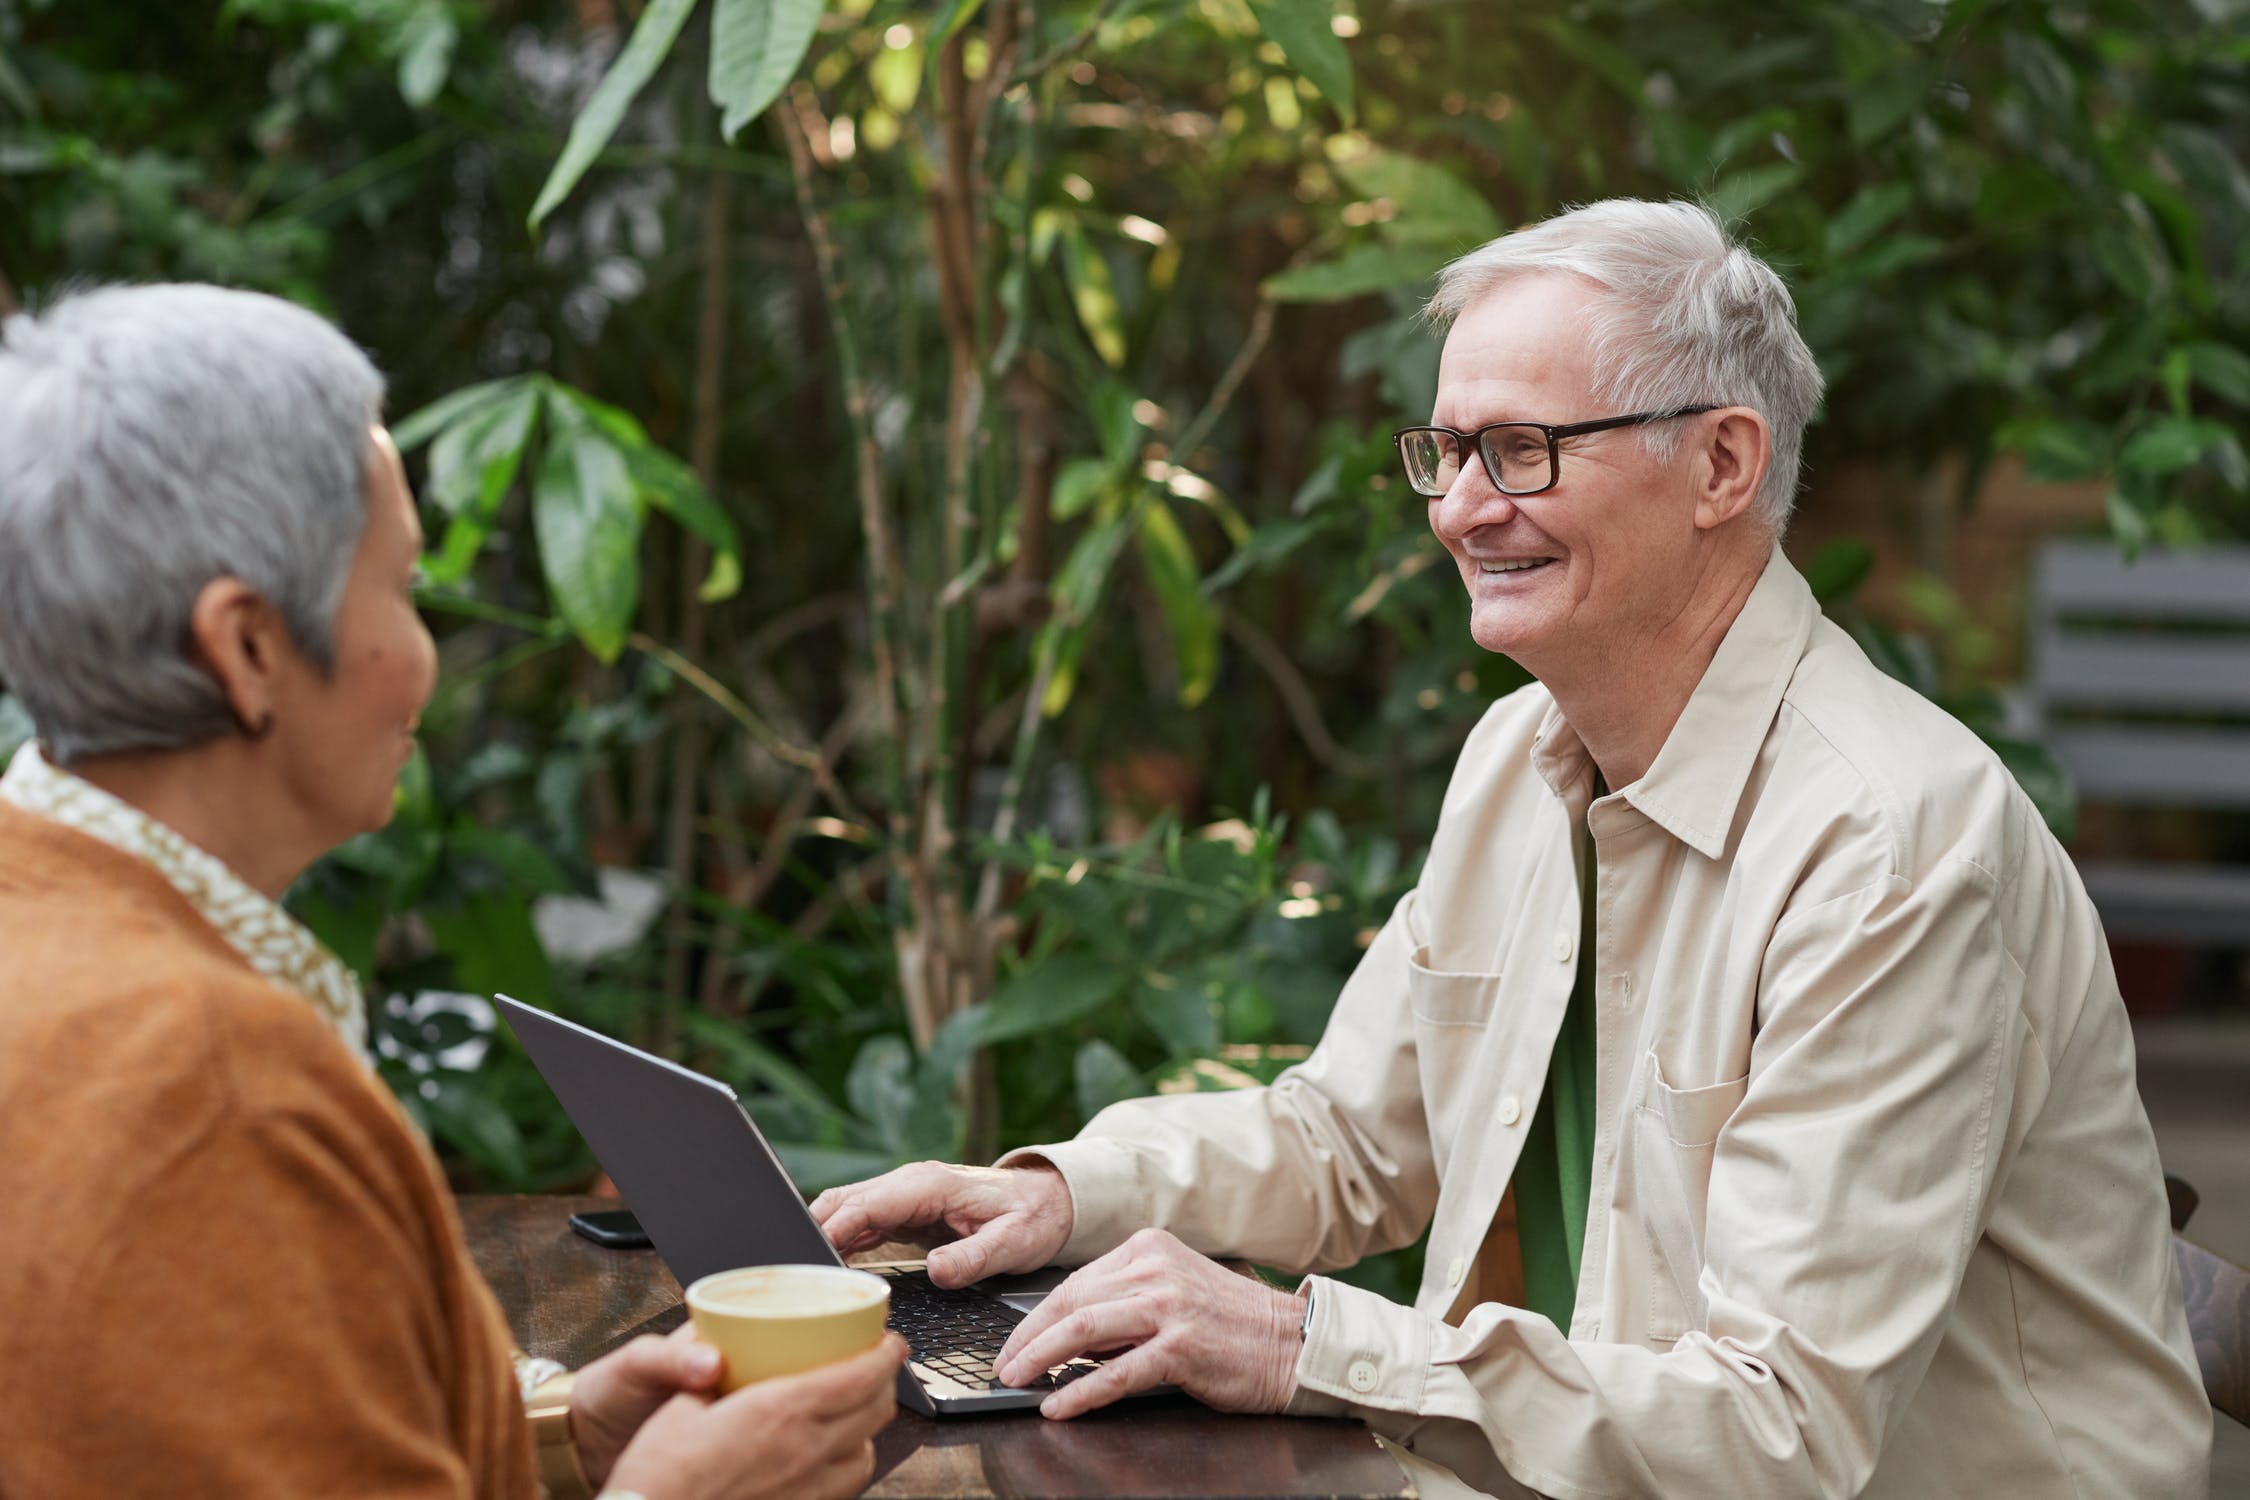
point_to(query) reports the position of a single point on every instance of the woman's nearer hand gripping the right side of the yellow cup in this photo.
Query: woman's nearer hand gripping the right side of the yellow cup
(793, 1438)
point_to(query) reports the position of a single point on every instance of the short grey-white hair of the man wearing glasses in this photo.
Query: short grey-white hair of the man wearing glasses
(1691, 318)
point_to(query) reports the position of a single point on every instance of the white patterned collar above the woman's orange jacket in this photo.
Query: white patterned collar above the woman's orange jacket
(271, 941)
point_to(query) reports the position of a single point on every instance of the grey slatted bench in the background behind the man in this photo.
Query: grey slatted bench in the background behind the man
(2141, 687)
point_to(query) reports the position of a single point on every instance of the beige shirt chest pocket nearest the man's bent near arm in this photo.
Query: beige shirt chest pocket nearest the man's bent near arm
(1675, 1137)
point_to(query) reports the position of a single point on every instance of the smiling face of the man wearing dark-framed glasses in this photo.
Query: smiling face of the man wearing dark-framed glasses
(1596, 563)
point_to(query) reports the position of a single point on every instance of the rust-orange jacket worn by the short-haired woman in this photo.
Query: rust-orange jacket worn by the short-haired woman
(228, 1263)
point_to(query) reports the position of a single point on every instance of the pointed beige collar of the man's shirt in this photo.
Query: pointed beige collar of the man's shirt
(1698, 779)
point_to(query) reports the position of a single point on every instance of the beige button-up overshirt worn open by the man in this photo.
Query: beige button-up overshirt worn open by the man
(1875, 1204)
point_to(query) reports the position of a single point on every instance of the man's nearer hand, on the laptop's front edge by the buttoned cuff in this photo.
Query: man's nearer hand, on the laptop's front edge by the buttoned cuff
(1187, 1321)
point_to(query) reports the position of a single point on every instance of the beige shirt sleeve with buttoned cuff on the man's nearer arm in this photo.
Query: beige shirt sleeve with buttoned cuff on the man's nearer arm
(1844, 1202)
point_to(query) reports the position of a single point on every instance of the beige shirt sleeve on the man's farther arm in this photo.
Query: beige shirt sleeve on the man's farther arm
(1324, 1168)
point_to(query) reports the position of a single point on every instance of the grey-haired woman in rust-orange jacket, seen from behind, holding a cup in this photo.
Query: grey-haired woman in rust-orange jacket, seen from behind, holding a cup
(233, 1267)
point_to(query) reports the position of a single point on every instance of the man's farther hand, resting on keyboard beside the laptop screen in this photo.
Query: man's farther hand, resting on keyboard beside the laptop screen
(984, 1220)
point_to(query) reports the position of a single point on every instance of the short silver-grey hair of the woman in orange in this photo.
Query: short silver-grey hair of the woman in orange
(154, 440)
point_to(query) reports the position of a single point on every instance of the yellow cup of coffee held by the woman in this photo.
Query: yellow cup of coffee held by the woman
(775, 1321)
